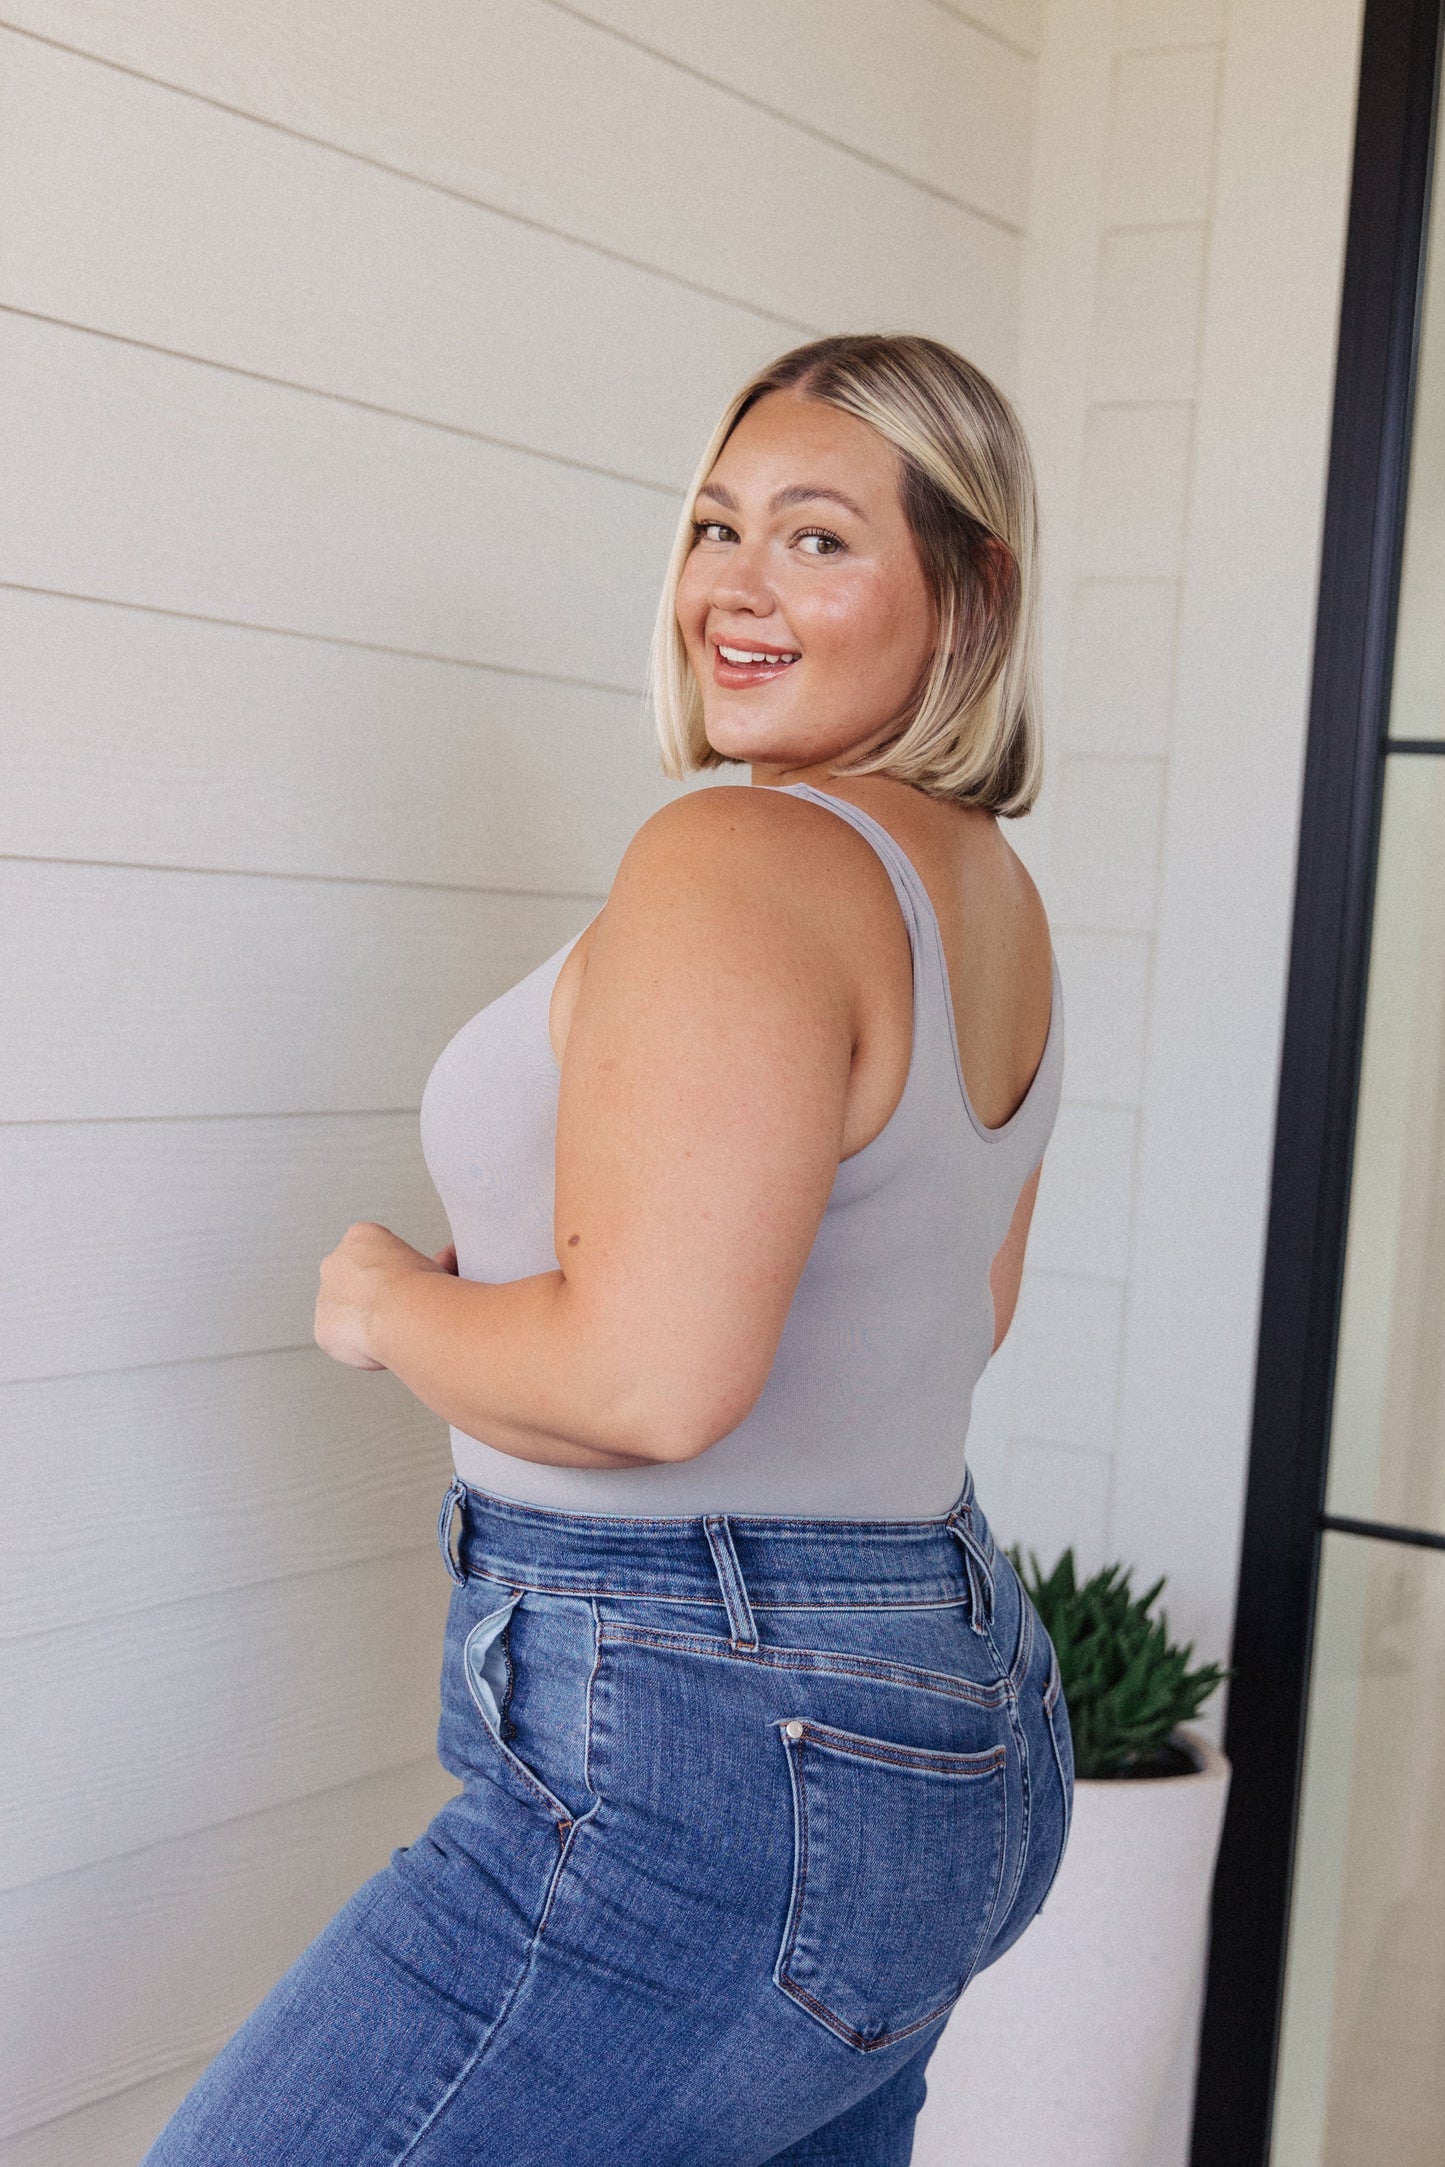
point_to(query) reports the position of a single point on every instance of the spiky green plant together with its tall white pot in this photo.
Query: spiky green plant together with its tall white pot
(1067, 2047)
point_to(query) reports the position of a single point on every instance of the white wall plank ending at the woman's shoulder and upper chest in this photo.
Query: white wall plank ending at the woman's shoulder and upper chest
(131, 994)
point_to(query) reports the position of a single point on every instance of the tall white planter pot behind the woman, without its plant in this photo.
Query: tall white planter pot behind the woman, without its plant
(1065, 2047)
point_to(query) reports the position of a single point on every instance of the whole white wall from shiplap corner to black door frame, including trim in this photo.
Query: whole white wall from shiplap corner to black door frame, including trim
(1177, 350)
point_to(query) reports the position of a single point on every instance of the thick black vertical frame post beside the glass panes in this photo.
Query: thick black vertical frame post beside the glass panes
(1303, 1282)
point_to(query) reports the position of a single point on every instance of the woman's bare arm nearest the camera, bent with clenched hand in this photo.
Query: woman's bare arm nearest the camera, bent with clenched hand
(699, 1134)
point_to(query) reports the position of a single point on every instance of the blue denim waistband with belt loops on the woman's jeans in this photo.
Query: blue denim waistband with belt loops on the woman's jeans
(746, 1561)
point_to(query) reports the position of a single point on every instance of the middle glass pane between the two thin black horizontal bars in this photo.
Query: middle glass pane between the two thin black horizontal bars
(1388, 1446)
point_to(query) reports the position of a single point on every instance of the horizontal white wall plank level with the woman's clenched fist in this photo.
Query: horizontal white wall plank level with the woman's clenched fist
(142, 1243)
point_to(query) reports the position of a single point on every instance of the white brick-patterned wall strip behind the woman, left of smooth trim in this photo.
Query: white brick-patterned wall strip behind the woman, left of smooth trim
(1123, 211)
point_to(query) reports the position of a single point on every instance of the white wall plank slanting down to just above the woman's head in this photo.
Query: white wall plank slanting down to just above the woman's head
(519, 107)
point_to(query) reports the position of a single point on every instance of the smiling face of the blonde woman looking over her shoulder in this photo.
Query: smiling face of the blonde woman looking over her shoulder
(803, 604)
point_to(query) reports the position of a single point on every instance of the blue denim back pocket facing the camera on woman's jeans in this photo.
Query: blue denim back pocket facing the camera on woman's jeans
(898, 1863)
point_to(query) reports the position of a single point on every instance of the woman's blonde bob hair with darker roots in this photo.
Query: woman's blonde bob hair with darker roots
(972, 729)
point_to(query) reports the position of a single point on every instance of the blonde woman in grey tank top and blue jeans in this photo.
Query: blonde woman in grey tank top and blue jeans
(761, 1743)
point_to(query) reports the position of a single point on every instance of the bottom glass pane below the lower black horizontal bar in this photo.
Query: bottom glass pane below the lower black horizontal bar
(1364, 2049)
